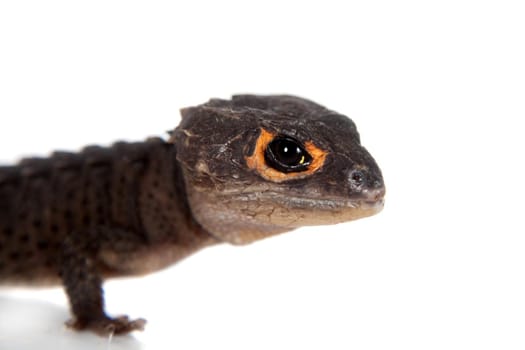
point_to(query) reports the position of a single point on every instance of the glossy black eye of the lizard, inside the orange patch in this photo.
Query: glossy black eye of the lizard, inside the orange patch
(287, 155)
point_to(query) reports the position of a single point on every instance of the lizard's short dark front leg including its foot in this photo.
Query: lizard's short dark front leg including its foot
(83, 286)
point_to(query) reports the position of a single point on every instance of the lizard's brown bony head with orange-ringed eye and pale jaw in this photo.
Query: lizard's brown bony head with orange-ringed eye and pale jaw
(255, 166)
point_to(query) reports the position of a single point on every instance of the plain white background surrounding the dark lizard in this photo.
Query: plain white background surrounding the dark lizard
(437, 90)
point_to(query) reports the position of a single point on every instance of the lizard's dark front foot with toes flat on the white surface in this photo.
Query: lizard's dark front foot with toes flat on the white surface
(108, 326)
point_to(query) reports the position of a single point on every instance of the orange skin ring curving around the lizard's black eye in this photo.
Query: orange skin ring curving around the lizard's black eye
(258, 162)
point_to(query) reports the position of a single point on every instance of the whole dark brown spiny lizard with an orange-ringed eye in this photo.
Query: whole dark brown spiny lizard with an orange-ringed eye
(233, 171)
